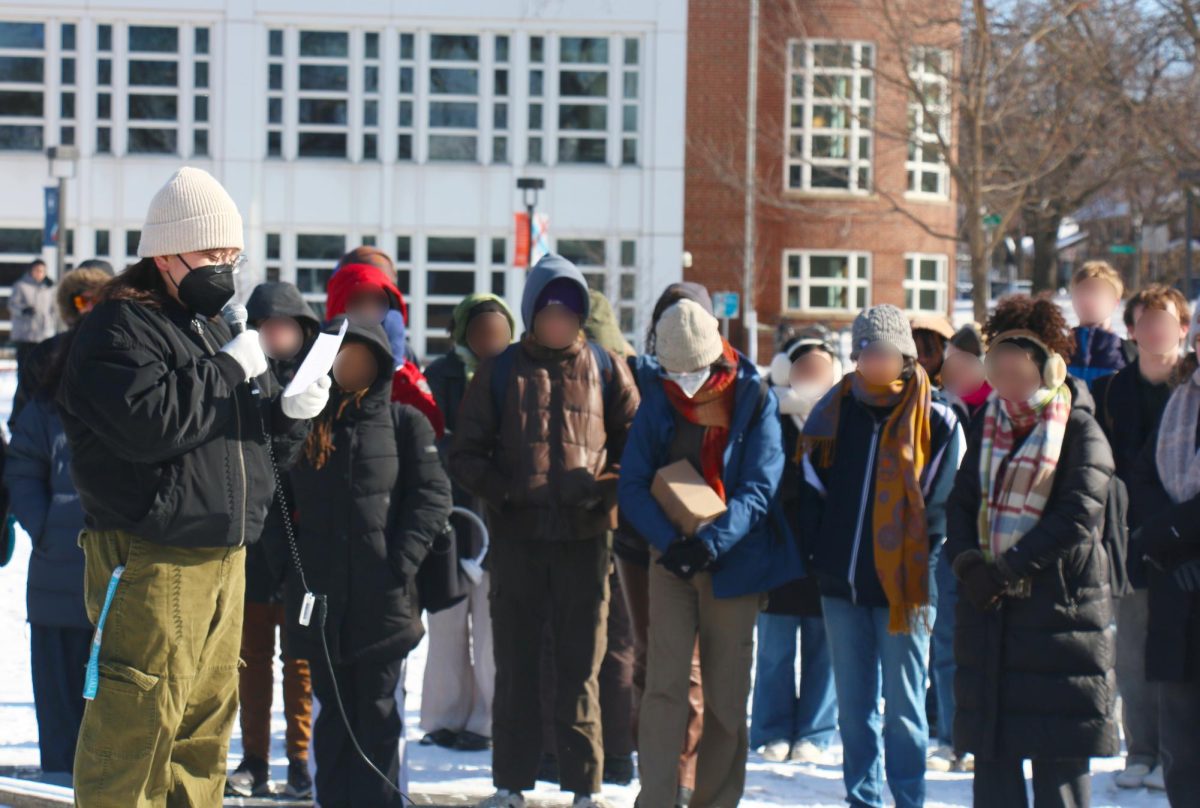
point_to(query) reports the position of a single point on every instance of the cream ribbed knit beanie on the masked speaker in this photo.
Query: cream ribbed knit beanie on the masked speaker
(191, 213)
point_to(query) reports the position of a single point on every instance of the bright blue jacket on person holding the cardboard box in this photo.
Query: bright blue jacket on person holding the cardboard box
(753, 546)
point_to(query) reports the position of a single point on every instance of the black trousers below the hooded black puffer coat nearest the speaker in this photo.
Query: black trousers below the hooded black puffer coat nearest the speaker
(369, 693)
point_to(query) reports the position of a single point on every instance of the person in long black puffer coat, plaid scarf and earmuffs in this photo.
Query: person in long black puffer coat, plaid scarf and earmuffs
(1035, 643)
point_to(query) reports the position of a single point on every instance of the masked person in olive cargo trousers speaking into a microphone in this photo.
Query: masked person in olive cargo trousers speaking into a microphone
(173, 422)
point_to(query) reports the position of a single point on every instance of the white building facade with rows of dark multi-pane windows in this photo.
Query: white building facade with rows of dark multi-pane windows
(363, 122)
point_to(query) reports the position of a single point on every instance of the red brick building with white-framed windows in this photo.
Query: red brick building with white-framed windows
(853, 202)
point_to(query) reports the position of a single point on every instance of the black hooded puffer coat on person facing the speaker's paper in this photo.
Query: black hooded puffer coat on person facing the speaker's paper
(365, 522)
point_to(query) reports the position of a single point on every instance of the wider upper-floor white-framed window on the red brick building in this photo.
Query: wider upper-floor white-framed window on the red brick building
(859, 131)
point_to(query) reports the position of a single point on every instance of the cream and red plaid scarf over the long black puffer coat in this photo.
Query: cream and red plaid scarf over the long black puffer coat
(1016, 487)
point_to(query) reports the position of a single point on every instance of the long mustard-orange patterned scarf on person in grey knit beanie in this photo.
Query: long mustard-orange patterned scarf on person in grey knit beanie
(898, 514)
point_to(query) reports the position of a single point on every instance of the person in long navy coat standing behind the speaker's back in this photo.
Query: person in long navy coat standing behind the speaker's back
(46, 504)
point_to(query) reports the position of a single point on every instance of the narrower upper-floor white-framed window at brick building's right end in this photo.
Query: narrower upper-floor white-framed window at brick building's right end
(916, 166)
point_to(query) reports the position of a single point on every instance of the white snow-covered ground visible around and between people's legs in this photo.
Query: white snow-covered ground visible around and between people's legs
(443, 773)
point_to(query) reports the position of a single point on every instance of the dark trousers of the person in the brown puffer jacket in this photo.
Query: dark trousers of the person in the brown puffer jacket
(567, 585)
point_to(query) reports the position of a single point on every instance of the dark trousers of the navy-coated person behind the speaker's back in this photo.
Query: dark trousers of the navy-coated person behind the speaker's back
(58, 659)
